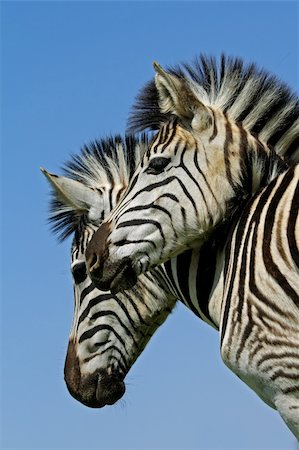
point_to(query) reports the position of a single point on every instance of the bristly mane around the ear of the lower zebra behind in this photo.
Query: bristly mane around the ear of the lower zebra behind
(100, 163)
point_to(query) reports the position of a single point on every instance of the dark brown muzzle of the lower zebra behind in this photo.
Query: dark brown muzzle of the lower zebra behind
(95, 390)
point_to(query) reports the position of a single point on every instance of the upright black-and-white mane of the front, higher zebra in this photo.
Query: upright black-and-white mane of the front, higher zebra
(263, 104)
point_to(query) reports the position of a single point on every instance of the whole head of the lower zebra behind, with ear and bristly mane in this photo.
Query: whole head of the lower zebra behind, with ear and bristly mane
(108, 331)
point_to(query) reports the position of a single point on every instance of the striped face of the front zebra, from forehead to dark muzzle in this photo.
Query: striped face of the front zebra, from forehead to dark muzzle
(169, 207)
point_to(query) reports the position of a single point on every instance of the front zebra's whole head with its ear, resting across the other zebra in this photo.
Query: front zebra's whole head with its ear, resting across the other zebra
(198, 169)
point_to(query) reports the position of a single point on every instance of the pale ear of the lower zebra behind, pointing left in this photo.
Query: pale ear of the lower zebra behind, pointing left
(75, 195)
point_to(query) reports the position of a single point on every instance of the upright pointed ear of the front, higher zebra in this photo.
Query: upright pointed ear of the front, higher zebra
(176, 97)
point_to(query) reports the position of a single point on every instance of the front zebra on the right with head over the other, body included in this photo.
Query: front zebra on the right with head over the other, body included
(207, 170)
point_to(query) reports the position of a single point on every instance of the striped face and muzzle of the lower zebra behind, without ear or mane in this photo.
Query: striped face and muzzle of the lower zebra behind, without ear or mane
(109, 331)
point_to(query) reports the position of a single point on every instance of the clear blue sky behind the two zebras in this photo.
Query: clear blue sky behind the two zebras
(70, 71)
